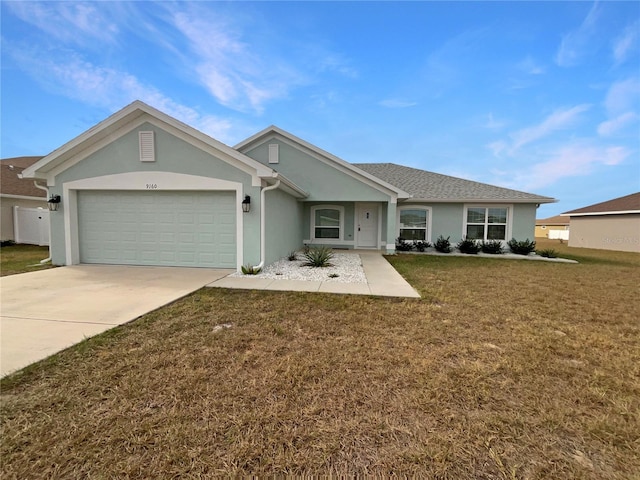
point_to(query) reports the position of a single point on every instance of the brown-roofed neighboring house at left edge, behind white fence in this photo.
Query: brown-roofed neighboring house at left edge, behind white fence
(17, 192)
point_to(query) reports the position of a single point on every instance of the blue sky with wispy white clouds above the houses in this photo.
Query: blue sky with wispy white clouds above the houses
(538, 96)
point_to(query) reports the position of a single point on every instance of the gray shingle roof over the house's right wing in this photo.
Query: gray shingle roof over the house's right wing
(435, 187)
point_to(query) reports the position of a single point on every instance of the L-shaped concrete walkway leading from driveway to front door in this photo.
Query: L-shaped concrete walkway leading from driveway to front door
(382, 279)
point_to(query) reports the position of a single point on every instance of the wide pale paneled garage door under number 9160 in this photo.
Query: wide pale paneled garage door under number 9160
(169, 228)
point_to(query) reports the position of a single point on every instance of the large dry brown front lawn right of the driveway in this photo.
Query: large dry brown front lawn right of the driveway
(505, 369)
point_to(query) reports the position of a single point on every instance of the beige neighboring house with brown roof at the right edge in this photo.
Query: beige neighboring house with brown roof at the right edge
(610, 225)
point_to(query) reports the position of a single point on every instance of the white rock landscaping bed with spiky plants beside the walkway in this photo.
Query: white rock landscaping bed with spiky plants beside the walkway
(347, 267)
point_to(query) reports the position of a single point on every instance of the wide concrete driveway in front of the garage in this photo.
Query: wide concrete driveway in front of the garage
(44, 312)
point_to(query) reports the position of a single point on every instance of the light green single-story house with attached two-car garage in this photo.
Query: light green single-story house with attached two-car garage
(143, 188)
